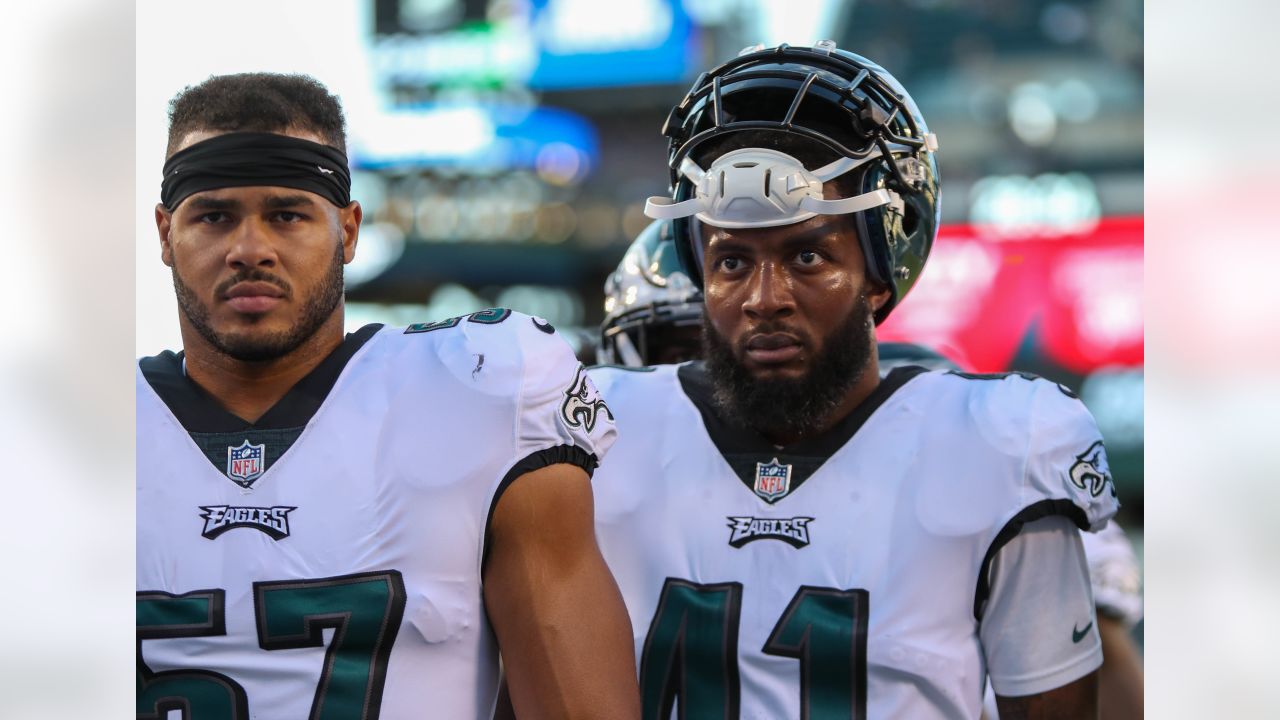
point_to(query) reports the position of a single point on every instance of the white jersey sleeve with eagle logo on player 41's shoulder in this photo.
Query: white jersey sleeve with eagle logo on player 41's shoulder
(1067, 459)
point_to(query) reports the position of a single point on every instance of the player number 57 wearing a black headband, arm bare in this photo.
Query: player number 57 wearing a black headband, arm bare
(344, 526)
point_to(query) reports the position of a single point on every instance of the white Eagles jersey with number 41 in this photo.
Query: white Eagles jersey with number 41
(843, 576)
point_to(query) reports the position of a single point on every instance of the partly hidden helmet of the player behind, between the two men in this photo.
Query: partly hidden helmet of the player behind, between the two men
(652, 311)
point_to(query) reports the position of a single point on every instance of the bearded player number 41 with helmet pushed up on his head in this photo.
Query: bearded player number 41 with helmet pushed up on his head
(794, 535)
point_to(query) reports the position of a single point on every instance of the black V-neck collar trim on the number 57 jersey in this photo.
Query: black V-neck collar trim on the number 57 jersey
(198, 412)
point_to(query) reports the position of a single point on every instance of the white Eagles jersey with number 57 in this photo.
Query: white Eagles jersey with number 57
(337, 575)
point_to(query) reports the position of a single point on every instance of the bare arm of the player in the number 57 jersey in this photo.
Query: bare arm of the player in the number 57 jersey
(561, 625)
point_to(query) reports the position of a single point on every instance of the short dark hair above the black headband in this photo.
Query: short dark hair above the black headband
(258, 103)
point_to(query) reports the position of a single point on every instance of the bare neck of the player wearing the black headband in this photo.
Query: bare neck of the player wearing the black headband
(249, 390)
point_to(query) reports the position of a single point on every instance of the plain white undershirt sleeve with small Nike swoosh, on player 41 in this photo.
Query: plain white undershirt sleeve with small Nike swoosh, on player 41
(1039, 630)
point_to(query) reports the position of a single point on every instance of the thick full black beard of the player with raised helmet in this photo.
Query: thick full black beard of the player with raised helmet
(792, 407)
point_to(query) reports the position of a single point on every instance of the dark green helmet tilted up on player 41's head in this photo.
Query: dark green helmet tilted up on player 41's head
(845, 110)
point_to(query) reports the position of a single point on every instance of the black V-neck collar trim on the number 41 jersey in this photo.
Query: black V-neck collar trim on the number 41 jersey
(743, 448)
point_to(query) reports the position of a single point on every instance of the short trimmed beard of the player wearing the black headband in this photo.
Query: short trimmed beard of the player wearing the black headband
(266, 347)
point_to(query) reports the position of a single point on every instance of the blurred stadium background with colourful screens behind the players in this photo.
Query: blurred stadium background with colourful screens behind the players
(504, 149)
